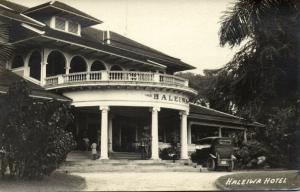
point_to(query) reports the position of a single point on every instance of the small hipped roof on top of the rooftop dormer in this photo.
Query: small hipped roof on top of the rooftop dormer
(56, 8)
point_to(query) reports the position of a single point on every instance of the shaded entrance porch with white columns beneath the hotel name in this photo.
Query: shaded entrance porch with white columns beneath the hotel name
(130, 132)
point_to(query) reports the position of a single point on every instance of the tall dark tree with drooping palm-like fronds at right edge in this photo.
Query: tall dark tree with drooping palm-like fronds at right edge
(262, 78)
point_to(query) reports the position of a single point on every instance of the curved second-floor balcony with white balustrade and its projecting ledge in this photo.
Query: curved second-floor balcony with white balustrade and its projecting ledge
(119, 78)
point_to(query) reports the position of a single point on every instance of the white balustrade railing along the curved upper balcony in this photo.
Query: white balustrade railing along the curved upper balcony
(115, 76)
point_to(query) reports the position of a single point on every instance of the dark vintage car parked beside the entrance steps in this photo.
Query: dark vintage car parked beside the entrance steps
(216, 152)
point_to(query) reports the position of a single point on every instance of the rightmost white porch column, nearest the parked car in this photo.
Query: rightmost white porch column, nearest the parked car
(183, 135)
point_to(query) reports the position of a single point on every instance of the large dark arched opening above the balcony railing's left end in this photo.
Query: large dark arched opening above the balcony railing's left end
(56, 64)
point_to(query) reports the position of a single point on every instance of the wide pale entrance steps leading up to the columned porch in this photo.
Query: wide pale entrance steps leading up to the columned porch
(77, 163)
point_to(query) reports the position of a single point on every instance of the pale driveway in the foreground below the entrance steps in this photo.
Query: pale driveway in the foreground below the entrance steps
(171, 181)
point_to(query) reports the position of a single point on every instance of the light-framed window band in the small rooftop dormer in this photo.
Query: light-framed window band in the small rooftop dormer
(65, 25)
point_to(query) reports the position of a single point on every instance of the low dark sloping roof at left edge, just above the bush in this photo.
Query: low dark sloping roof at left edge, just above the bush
(7, 78)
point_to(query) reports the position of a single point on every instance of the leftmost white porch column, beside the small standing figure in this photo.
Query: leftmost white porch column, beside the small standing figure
(104, 127)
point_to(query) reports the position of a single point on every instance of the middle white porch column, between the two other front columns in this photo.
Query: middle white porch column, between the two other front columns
(154, 133)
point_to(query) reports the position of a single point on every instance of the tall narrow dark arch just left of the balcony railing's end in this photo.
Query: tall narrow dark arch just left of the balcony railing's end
(35, 65)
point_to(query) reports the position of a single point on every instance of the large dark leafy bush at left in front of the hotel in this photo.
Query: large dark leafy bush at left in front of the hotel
(33, 132)
